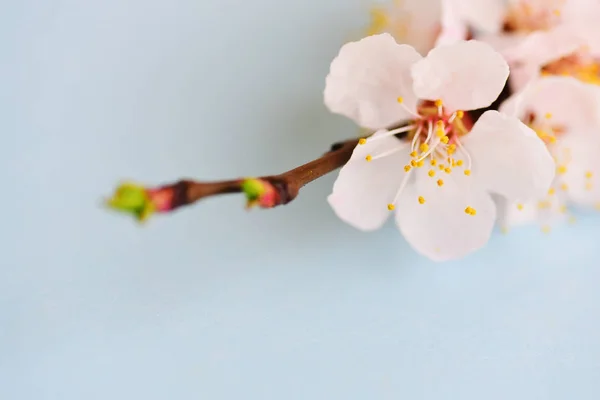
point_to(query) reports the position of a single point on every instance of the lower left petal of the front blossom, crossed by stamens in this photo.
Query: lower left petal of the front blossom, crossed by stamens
(364, 189)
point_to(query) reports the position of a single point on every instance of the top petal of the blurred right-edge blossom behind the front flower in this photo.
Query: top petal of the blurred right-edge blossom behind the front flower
(568, 102)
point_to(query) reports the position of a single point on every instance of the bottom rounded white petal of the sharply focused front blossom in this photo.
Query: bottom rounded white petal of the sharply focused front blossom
(440, 228)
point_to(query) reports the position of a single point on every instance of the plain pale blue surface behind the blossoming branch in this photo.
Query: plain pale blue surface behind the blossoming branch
(216, 303)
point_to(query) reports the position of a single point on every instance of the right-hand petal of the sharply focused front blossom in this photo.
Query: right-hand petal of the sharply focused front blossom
(508, 157)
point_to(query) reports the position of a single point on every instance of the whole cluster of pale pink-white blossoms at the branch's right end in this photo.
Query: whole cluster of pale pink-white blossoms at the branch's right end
(482, 113)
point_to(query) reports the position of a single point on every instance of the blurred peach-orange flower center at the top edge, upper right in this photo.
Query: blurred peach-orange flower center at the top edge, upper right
(528, 16)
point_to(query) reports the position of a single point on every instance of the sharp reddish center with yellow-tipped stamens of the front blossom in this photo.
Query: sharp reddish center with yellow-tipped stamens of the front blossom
(434, 139)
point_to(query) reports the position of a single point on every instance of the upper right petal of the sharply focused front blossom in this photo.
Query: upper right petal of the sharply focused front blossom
(466, 75)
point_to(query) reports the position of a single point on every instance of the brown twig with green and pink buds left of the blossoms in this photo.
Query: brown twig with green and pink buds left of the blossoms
(266, 192)
